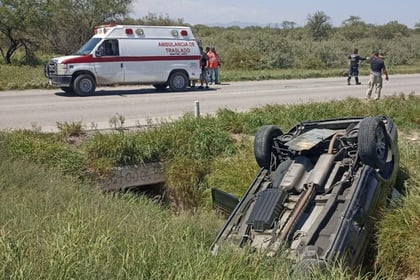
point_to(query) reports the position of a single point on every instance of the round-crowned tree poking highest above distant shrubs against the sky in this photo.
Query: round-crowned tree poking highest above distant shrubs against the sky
(318, 25)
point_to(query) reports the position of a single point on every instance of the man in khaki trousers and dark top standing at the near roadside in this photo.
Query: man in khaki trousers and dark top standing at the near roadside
(377, 69)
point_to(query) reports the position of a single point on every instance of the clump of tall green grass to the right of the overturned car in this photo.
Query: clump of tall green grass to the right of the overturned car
(399, 235)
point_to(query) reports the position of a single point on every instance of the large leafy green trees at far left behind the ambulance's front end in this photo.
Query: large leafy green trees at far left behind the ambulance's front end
(60, 26)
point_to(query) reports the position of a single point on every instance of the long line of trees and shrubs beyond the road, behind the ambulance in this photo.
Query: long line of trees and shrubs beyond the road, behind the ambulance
(34, 28)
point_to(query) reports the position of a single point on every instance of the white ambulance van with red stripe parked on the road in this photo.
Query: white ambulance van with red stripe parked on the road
(161, 56)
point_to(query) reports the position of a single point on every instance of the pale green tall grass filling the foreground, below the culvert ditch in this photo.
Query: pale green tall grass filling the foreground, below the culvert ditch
(53, 228)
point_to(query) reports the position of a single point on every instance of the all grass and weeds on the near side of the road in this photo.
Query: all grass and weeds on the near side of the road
(57, 224)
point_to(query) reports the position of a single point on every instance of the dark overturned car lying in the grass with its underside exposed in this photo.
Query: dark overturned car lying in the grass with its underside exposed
(318, 192)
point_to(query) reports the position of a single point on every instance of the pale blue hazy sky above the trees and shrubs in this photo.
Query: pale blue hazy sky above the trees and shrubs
(210, 12)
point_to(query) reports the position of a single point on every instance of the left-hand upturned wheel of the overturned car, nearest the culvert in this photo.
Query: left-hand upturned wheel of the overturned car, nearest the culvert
(263, 144)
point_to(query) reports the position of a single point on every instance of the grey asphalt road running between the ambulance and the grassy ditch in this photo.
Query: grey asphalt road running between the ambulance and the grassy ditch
(140, 104)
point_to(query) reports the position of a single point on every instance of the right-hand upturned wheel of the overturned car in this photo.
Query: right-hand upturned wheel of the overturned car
(373, 142)
